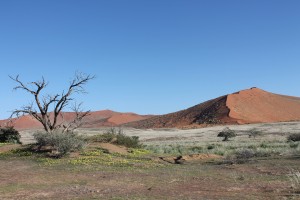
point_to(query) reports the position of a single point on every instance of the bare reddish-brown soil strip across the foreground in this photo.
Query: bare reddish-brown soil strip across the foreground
(262, 180)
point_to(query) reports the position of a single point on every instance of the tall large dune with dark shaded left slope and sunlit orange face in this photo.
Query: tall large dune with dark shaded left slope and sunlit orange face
(248, 106)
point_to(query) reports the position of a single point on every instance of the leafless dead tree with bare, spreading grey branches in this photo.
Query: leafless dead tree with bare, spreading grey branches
(59, 101)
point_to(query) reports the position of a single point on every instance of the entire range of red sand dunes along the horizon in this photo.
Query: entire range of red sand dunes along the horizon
(244, 107)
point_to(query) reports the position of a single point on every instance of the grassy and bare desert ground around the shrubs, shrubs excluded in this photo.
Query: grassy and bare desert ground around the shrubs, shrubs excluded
(140, 175)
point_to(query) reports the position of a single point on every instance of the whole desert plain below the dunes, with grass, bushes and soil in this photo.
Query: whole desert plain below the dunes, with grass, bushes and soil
(107, 166)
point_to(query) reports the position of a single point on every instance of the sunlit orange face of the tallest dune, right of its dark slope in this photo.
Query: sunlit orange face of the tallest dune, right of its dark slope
(256, 106)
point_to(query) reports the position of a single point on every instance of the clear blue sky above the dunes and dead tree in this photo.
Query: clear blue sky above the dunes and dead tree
(150, 57)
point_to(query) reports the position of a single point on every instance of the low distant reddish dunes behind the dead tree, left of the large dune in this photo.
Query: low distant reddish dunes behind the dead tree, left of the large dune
(94, 120)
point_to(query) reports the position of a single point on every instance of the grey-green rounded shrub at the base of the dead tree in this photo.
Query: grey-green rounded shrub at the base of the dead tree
(61, 143)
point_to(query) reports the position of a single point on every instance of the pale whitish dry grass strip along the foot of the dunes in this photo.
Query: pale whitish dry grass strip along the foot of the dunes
(160, 136)
